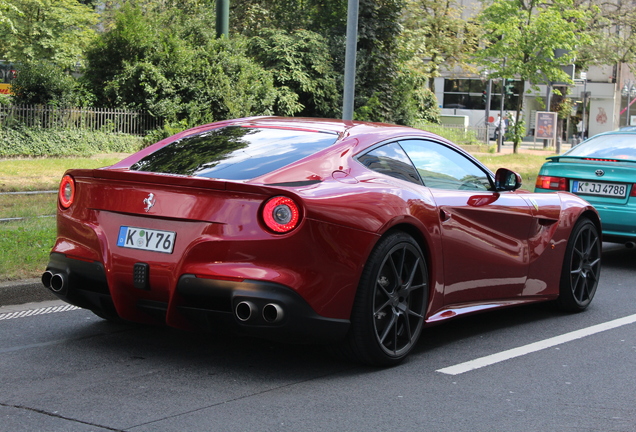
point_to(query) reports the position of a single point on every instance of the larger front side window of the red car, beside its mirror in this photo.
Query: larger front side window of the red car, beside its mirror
(441, 167)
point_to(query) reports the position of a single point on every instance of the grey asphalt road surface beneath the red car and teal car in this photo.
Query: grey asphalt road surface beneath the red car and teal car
(63, 369)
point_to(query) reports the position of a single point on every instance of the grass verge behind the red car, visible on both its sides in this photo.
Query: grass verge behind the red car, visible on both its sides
(25, 244)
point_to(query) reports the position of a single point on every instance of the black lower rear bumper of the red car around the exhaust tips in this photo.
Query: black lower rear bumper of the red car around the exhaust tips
(251, 307)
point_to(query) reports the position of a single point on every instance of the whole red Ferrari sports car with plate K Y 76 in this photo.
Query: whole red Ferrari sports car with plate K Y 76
(306, 229)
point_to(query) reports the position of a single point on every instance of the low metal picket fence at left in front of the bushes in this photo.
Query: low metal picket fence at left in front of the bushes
(103, 119)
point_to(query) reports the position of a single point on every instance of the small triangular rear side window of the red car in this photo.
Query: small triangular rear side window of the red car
(391, 160)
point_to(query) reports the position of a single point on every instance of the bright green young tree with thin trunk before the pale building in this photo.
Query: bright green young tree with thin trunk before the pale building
(522, 39)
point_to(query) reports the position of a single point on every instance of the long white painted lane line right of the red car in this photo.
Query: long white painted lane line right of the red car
(536, 346)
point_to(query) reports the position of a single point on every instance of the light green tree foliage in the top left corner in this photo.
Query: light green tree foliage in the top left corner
(54, 30)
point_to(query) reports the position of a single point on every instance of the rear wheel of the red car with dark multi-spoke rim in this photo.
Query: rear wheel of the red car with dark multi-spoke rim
(388, 312)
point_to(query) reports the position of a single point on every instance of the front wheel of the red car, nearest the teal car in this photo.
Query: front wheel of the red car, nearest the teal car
(581, 267)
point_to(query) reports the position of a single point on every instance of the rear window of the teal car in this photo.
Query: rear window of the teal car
(611, 146)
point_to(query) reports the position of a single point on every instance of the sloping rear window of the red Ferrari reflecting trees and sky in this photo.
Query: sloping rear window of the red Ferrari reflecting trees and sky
(235, 152)
